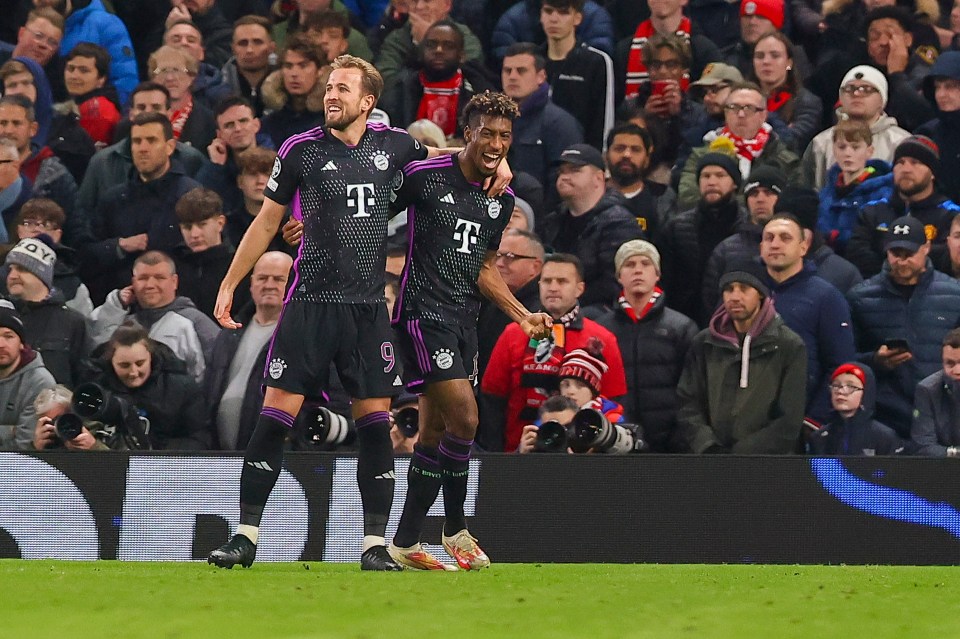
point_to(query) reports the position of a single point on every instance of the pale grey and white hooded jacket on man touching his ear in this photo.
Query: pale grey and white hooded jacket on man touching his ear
(179, 325)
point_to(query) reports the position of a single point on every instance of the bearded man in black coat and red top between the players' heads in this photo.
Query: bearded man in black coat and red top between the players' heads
(441, 87)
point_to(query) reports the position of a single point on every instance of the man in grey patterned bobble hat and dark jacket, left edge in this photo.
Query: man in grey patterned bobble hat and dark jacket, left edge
(53, 330)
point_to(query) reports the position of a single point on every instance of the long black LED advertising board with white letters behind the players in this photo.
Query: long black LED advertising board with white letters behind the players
(535, 508)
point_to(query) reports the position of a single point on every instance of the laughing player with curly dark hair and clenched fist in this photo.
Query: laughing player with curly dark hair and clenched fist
(455, 230)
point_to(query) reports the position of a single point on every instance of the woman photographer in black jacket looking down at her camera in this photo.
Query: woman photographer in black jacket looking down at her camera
(146, 374)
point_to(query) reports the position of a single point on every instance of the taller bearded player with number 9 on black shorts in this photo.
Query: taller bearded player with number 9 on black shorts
(337, 179)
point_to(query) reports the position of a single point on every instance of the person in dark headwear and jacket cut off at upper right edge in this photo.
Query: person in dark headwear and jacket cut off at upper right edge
(942, 89)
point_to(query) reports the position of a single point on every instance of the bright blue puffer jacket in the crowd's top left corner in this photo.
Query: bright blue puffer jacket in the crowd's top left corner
(94, 24)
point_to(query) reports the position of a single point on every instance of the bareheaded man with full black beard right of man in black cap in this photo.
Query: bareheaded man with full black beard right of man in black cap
(629, 148)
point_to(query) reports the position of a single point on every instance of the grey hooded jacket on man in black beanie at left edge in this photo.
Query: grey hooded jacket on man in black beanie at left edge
(18, 418)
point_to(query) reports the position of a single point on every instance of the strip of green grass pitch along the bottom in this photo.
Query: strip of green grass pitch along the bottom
(40, 599)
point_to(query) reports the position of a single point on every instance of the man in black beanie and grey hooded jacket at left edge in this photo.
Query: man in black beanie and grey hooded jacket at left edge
(22, 377)
